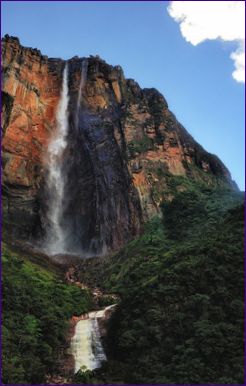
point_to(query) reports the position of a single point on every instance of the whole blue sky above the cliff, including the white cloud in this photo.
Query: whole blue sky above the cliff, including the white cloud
(191, 51)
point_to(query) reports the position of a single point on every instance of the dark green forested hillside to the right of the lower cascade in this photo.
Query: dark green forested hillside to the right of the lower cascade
(180, 319)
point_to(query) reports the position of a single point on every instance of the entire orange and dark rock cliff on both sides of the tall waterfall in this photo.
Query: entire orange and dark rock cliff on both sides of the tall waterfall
(123, 146)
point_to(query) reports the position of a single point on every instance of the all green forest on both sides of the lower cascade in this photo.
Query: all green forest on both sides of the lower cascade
(179, 319)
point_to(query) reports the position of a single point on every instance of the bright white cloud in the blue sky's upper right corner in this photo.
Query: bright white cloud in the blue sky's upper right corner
(210, 20)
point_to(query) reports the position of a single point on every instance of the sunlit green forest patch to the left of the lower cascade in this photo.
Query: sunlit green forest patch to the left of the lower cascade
(37, 305)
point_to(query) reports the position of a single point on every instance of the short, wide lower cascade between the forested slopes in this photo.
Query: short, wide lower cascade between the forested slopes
(86, 345)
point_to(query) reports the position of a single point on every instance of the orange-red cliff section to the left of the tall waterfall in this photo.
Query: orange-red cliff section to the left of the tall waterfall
(30, 93)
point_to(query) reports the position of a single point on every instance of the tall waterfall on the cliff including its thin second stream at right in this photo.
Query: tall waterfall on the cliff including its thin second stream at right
(59, 232)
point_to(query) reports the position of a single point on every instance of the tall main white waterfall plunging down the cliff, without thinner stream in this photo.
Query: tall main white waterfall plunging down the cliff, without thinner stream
(55, 182)
